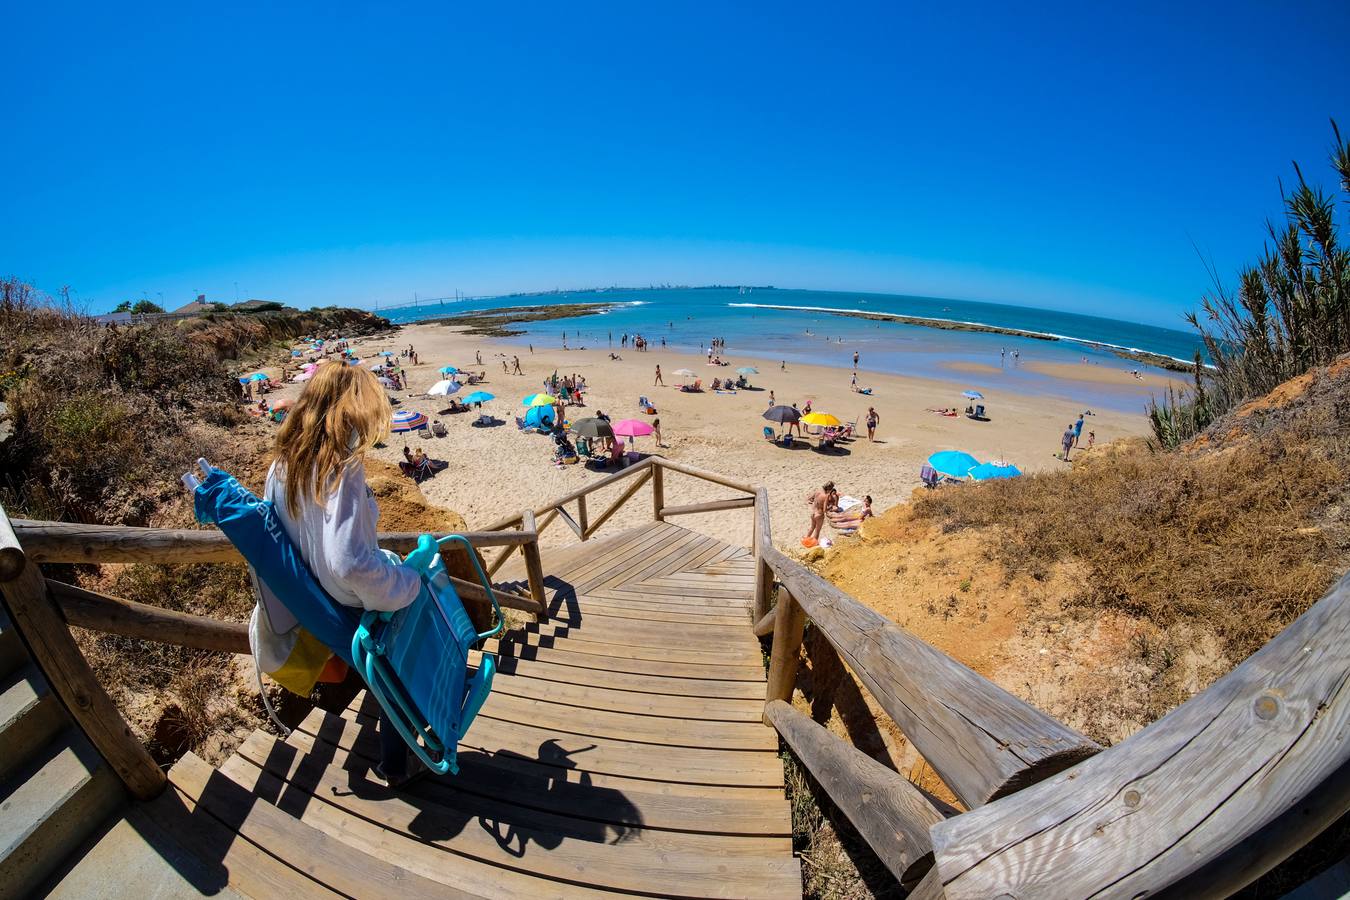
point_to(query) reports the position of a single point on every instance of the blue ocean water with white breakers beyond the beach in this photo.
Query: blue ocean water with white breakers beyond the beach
(796, 327)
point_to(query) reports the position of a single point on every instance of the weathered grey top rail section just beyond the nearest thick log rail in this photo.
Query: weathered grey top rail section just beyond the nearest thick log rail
(982, 741)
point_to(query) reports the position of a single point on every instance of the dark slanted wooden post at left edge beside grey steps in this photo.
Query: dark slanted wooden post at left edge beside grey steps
(36, 616)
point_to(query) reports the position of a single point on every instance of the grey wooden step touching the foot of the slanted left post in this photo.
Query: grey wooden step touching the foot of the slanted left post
(51, 806)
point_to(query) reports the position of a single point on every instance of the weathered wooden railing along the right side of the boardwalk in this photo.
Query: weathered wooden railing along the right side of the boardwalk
(1198, 805)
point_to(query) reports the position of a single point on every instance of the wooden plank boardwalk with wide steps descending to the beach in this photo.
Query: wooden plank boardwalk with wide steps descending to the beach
(622, 752)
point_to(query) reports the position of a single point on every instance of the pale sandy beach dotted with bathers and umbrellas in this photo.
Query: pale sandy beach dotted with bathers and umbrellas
(499, 470)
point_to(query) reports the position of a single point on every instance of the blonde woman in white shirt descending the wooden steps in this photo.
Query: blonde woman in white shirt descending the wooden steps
(318, 485)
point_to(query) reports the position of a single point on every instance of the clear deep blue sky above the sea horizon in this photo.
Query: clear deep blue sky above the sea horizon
(1056, 156)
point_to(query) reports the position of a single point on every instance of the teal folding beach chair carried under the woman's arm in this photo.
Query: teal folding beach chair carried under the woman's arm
(415, 662)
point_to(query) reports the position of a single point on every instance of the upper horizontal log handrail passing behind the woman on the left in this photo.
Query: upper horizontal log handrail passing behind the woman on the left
(76, 543)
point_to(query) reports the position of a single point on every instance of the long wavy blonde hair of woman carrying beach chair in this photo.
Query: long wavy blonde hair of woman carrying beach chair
(341, 415)
